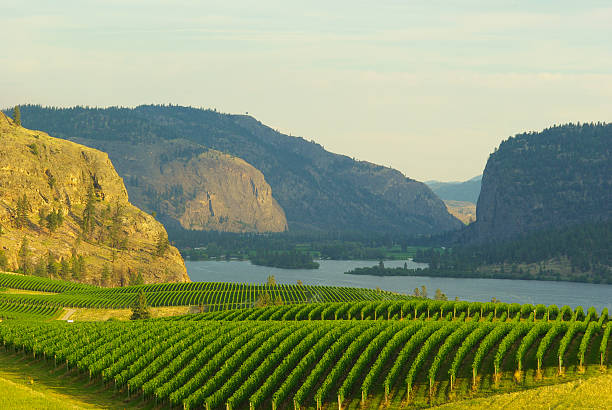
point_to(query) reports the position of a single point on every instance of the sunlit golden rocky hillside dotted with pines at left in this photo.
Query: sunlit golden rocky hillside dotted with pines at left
(47, 187)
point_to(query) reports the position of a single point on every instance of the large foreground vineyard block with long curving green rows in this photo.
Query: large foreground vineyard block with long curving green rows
(243, 363)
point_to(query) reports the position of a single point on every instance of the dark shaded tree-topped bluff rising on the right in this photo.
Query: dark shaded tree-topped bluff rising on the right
(560, 176)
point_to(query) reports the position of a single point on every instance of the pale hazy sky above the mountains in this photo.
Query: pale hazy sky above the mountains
(428, 87)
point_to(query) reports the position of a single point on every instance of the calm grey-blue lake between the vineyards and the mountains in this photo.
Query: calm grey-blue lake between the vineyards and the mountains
(481, 290)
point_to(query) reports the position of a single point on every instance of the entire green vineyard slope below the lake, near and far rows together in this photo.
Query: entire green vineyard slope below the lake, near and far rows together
(364, 348)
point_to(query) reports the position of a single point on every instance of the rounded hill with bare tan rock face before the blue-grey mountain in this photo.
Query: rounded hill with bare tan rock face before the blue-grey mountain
(194, 187)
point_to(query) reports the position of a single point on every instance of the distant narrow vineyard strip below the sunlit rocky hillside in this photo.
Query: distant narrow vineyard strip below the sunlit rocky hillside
(212, 296)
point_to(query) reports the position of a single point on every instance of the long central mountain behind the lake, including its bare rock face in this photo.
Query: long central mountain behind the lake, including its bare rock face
(317, 190)
